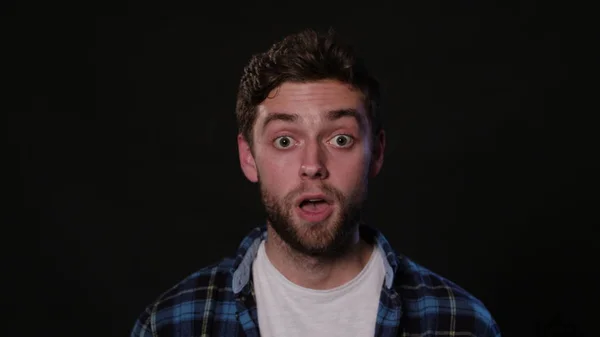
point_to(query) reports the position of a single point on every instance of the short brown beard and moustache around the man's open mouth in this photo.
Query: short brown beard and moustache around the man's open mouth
(329, 238)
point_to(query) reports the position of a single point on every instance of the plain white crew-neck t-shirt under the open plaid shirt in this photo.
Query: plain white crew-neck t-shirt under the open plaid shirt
(288, 310)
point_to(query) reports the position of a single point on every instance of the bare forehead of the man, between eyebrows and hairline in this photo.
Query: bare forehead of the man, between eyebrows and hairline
(312, 99)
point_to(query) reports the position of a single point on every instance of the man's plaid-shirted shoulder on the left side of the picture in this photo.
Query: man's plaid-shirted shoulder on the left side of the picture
(187, 301)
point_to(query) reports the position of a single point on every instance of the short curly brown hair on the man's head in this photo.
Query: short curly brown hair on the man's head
(304, 56)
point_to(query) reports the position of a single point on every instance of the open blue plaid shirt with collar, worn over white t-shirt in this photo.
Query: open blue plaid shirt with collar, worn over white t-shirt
(218, 300)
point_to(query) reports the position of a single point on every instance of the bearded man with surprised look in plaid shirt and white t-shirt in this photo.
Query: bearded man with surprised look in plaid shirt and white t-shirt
(310, 136)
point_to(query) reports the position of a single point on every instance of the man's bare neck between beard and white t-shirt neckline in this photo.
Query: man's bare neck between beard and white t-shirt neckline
(317, 272)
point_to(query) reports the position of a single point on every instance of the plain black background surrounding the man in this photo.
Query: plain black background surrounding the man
(123, 123)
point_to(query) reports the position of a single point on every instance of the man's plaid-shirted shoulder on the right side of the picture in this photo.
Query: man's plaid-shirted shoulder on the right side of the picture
(440, 304)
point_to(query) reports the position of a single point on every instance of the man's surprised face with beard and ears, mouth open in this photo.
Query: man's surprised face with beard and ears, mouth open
(312, 156)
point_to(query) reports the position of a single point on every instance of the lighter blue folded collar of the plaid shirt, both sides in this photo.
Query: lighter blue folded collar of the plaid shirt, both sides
(248, 248)
